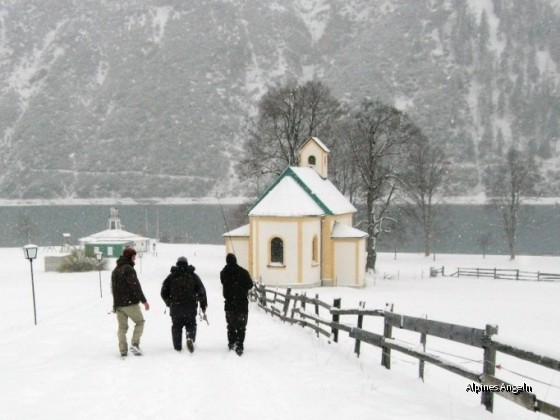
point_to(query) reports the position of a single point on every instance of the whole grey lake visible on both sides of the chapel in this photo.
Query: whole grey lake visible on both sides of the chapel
(462, 226)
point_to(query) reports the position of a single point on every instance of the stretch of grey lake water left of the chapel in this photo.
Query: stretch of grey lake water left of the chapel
(198, 223)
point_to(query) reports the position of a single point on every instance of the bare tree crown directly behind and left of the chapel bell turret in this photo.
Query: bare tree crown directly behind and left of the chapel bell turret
(288, 115)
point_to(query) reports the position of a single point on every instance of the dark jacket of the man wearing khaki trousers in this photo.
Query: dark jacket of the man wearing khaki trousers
(125, 285)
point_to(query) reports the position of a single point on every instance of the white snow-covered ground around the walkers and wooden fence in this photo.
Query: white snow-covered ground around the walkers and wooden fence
(68, 365)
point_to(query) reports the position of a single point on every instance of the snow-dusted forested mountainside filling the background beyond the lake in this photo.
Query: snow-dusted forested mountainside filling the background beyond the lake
(151, 98)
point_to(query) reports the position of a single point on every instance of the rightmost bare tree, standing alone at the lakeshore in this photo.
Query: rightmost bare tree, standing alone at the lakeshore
(512, 178)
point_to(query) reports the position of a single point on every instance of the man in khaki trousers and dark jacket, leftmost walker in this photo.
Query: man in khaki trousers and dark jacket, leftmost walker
(127, 295)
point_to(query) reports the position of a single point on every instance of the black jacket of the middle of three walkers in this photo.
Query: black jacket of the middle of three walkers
(183, 289)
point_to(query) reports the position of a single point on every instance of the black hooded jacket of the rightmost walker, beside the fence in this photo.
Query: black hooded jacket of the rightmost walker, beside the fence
(236, 283)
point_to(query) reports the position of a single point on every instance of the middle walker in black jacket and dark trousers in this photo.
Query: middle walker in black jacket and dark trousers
(181, 291)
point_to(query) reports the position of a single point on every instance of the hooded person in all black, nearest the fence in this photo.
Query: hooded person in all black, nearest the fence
(236, 283)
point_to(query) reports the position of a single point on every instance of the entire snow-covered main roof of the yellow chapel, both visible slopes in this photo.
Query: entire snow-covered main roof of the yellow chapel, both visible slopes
(301, 192)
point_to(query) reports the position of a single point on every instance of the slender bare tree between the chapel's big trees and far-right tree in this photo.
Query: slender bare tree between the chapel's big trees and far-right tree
(425, 176)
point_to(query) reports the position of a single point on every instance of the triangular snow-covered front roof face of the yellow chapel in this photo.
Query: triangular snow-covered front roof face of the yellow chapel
(287, 199)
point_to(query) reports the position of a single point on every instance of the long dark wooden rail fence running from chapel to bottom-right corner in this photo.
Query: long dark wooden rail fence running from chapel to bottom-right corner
(310, 312)
